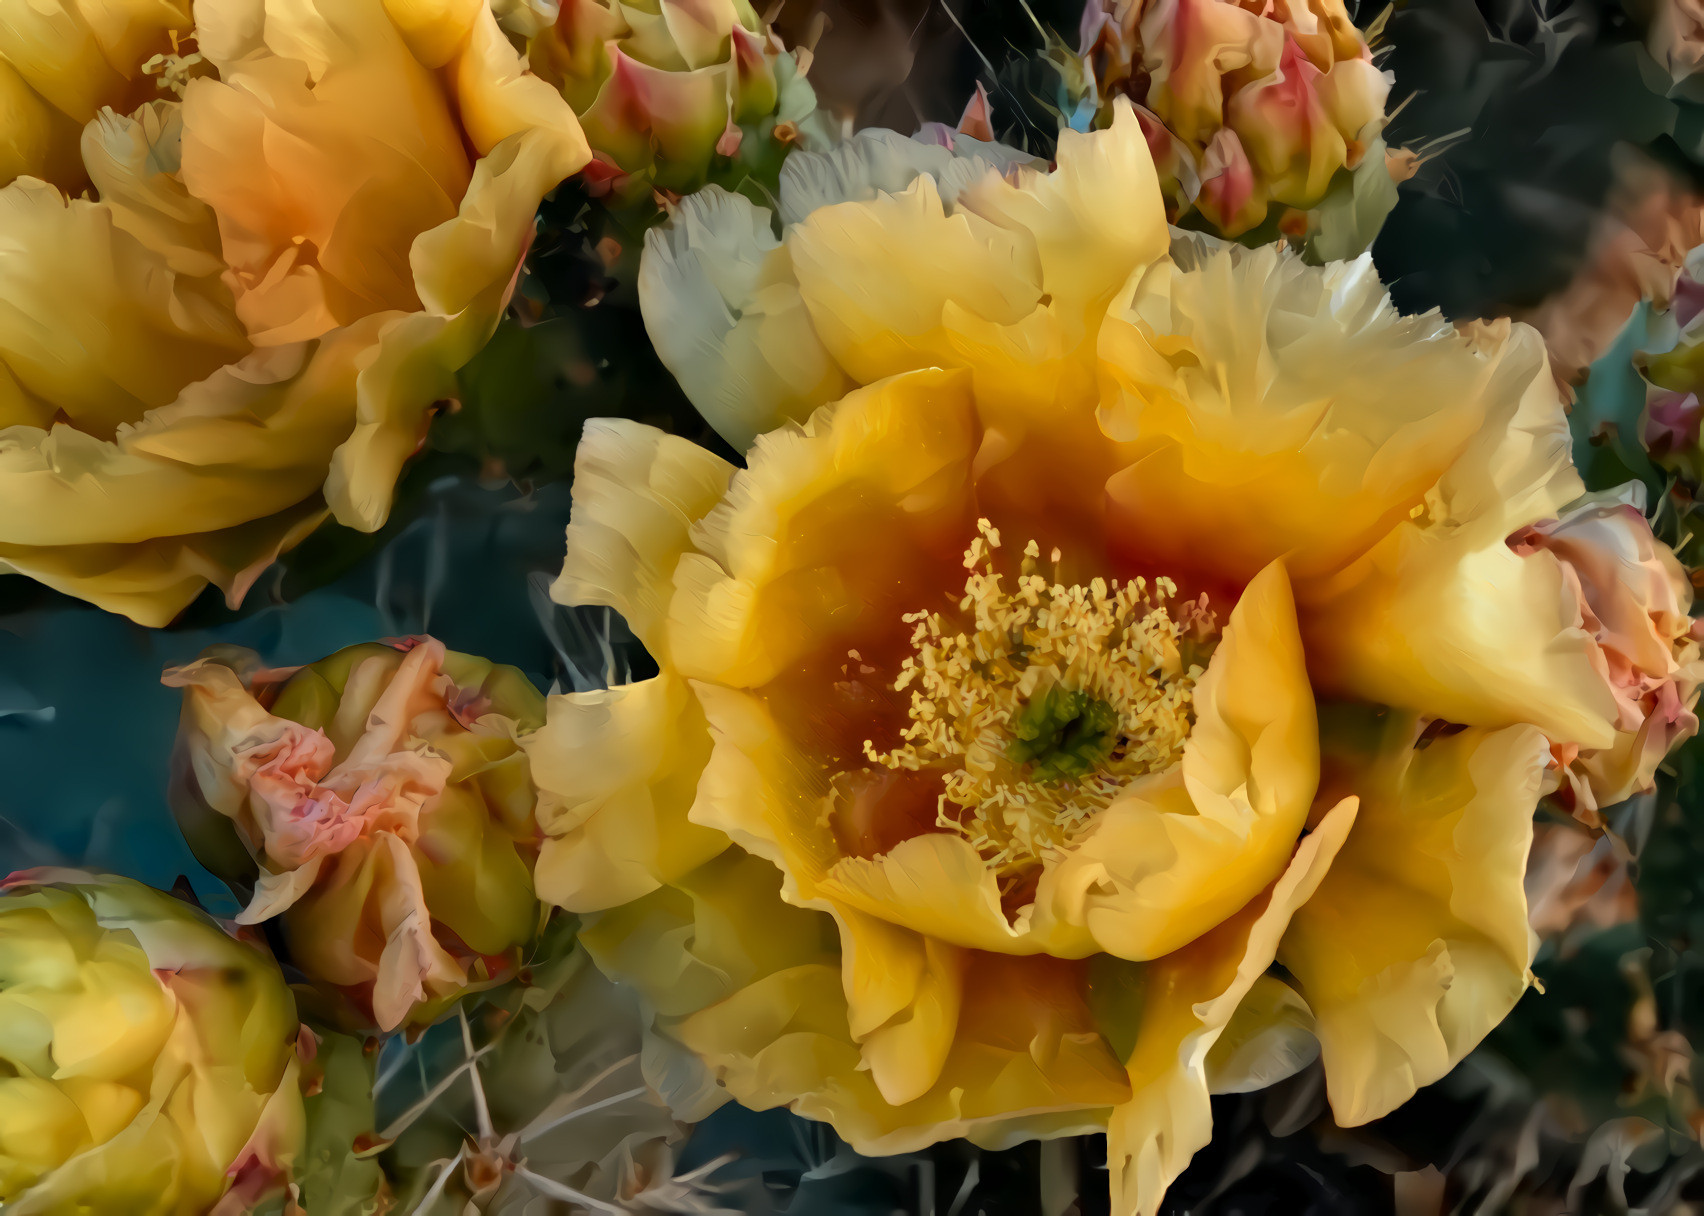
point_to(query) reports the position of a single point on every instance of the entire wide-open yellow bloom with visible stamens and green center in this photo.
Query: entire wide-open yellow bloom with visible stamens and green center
(1102, 619)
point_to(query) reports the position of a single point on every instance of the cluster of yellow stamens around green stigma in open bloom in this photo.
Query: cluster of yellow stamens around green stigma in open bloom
(1040, 701)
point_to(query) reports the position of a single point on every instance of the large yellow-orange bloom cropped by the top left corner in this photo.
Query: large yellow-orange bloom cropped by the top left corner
(279, 278)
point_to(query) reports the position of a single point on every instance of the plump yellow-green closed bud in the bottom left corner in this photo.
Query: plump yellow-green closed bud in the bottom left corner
(151, 1060)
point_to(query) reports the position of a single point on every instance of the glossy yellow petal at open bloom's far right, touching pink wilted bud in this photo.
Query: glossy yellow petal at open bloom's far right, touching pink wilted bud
(1442, 617)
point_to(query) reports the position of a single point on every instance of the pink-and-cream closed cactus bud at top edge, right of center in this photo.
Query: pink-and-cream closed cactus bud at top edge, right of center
(1252, 112)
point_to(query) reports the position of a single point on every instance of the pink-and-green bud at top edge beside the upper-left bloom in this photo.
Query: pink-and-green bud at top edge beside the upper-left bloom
(674, 95)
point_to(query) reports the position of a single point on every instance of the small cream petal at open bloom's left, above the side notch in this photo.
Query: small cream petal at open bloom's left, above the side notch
(638, 493)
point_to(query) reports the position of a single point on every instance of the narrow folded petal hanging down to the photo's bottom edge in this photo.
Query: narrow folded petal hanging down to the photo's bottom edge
(1190, 997)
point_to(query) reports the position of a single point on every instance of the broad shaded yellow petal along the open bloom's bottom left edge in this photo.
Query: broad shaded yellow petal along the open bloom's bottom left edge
(752, 992)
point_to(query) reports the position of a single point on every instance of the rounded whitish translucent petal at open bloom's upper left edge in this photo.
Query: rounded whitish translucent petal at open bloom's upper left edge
(725, 314)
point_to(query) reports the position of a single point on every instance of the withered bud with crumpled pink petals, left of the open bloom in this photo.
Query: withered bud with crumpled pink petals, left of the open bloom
(379, 805)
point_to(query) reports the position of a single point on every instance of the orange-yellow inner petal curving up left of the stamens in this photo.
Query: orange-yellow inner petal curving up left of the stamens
(878, 481)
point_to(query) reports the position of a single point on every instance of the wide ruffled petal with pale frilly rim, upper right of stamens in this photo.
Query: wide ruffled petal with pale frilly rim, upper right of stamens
(1281, 410)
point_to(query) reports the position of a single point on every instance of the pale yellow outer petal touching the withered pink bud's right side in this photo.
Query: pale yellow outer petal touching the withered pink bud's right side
(618, 772)
